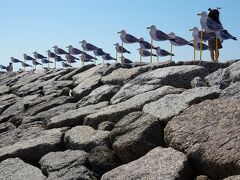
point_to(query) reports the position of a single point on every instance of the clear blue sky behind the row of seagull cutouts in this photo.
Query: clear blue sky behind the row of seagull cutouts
(38, 25)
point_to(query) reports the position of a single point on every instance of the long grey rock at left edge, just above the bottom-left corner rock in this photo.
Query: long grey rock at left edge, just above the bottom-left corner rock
(35, 146)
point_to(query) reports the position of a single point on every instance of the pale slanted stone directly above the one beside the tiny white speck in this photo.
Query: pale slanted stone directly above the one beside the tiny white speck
(79, 78)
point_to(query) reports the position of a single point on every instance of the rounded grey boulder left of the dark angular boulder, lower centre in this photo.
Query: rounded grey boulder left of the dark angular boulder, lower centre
(85, 138)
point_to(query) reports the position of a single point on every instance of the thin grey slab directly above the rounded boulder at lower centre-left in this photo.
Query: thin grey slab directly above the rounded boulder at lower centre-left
(74, 117)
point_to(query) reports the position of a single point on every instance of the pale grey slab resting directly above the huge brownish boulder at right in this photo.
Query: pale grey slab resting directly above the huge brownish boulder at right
(171, 105)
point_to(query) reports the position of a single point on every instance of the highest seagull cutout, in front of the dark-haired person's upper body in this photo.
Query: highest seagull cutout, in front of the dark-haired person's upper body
(208, 24)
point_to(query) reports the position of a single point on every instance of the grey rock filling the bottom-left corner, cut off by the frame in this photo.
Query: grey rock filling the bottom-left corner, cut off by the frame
(16, 169)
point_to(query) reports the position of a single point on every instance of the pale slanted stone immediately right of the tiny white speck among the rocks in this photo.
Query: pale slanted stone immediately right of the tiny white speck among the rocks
(85, 87)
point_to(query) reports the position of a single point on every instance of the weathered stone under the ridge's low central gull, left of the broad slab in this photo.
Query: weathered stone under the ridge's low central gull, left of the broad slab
(122, 75)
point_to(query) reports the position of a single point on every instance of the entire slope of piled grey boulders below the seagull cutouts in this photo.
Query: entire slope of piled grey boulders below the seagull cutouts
(141, 121)
